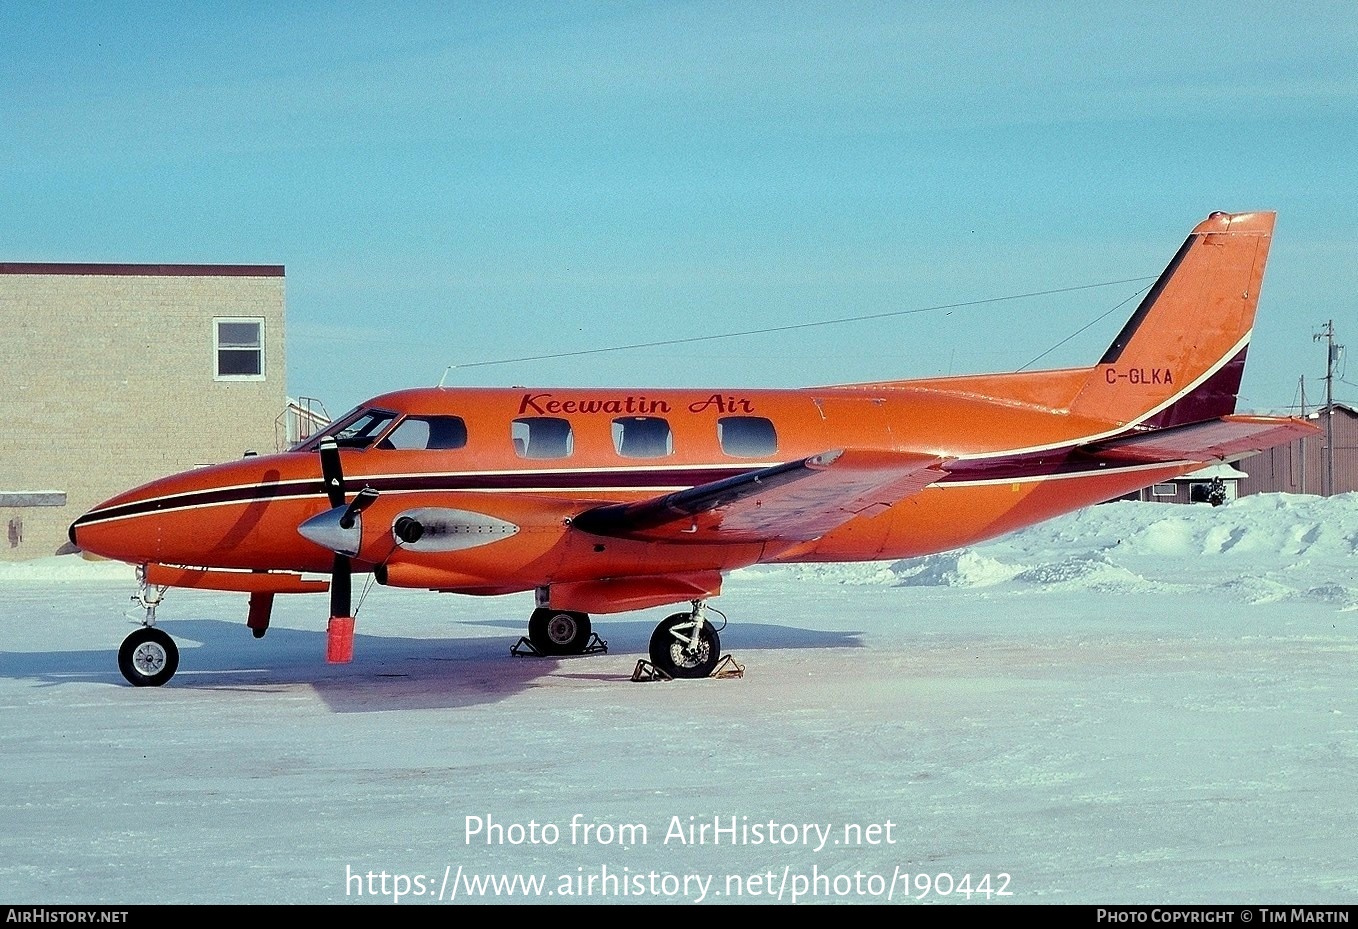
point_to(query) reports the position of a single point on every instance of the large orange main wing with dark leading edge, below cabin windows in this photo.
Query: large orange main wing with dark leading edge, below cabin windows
(790, 503)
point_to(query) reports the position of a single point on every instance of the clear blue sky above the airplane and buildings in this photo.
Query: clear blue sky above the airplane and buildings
(461, 183)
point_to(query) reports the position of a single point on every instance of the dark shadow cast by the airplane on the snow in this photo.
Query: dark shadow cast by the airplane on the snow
(389, 672)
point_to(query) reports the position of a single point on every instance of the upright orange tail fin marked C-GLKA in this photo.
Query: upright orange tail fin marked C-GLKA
(1181, 357)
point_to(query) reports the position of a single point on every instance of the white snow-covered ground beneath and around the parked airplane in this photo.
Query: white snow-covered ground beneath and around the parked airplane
(1136, 704)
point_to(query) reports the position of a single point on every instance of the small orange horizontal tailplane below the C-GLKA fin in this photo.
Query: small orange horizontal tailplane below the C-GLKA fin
(1227, 438)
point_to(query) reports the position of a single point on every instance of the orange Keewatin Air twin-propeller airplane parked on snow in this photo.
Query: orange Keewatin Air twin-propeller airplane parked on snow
(612, 500)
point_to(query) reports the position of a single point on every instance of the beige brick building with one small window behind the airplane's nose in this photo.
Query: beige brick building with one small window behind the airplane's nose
(119, 374)
